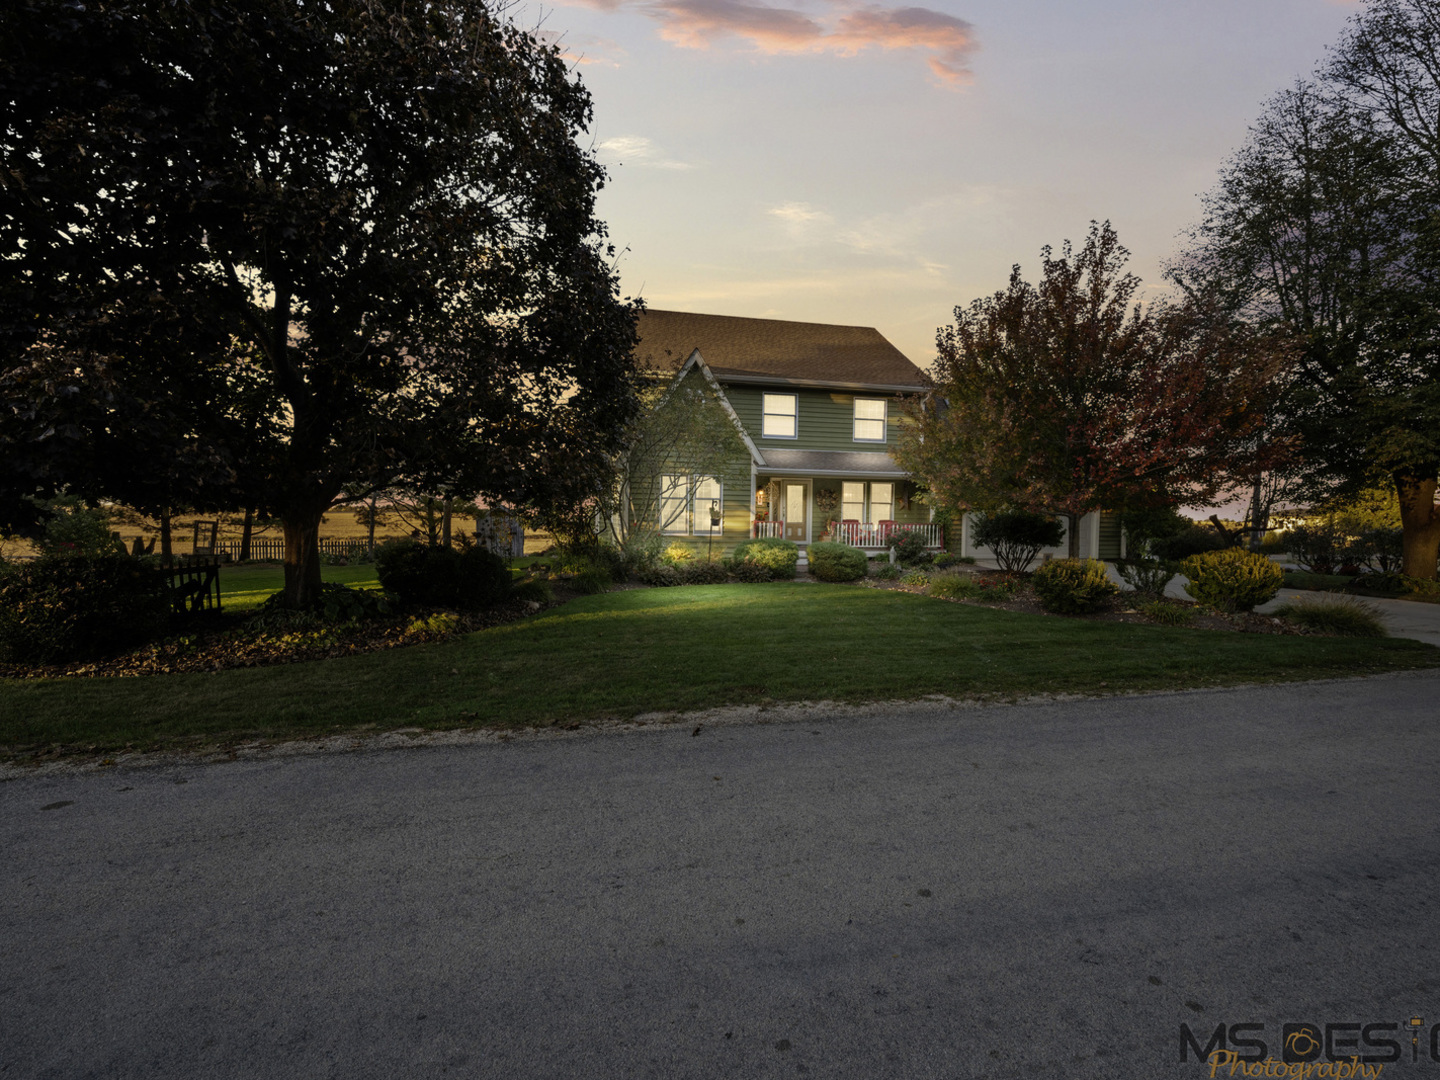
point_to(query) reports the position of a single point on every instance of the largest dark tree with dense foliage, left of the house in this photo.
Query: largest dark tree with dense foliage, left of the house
(385, 205)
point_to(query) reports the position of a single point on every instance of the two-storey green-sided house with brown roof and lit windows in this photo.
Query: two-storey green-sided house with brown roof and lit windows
(816, 415)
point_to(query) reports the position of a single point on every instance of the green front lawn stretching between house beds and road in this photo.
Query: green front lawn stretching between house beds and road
(627, 653)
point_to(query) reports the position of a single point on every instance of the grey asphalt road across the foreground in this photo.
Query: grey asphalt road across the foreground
(1010, 892)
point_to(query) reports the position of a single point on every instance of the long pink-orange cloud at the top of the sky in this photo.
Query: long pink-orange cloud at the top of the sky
(705, 24)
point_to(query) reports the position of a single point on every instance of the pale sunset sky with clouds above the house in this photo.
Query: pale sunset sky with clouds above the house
(879, 165)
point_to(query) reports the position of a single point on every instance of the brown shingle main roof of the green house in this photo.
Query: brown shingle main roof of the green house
(777, 349)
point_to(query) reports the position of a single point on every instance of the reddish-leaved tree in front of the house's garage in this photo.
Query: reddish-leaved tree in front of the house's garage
(1066, 397)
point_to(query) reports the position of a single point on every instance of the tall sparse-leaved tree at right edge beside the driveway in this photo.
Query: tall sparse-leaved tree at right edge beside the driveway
(1327, 224)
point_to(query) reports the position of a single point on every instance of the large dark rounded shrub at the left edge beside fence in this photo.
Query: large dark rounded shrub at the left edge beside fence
(63, 608)
